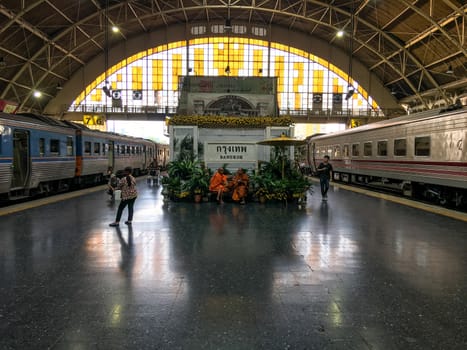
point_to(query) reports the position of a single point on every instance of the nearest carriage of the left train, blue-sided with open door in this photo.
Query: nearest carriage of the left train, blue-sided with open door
(37, 155)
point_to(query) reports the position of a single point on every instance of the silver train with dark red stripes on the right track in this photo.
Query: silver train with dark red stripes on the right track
(422, 155)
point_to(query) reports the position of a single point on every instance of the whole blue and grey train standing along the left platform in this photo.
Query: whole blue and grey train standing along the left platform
(43, 155)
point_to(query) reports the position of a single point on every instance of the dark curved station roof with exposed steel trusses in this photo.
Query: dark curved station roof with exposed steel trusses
(417, 48)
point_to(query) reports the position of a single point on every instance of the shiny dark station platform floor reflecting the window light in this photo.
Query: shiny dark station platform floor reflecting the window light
(355, 272)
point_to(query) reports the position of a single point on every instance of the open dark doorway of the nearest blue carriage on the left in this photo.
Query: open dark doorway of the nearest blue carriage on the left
(21, 159)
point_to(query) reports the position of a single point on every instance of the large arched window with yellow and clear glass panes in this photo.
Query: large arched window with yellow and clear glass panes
(149, 80)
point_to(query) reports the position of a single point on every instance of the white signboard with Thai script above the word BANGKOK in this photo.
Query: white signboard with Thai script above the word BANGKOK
(230, 152)
